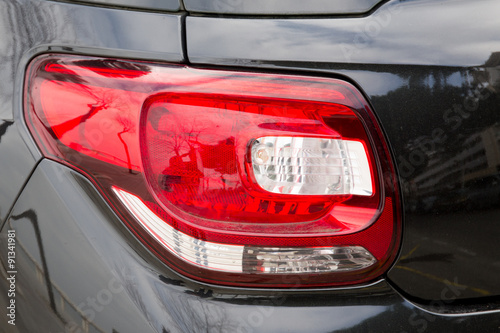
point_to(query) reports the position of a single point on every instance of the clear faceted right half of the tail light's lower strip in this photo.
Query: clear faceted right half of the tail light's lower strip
(307, 260)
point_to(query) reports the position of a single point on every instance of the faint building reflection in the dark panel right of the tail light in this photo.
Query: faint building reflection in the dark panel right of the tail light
(479, 158)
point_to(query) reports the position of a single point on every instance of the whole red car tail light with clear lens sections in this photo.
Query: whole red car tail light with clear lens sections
(235, 178)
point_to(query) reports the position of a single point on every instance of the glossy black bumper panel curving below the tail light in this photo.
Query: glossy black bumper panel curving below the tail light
(87, 260)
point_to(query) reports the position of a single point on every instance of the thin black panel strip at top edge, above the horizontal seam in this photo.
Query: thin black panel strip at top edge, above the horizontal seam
(280, 7)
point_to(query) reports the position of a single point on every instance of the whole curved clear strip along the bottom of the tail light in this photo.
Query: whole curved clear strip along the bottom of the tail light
(237, 259)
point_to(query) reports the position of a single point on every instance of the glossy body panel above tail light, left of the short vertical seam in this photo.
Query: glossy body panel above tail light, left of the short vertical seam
(52, 26)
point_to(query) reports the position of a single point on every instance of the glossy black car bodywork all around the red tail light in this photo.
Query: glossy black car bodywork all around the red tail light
(431, 71)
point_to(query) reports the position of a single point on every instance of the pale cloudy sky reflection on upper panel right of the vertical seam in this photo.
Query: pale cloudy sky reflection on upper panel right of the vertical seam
(419, 32)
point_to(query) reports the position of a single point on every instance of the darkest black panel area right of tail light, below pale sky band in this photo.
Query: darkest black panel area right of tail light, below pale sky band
(448, 153)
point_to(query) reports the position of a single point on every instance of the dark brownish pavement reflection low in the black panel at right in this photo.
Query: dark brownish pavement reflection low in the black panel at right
(459, 248)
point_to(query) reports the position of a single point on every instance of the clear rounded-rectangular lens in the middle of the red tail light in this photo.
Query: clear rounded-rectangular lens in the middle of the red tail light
(311, 166)
